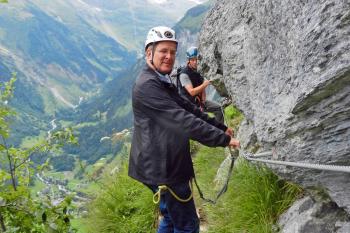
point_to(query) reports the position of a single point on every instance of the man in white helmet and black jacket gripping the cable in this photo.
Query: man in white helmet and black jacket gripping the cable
(163, 124)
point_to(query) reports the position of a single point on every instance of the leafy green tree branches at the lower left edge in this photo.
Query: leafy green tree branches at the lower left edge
(19, 212)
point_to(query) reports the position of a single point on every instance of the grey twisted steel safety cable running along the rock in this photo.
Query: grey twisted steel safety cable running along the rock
(324, 167)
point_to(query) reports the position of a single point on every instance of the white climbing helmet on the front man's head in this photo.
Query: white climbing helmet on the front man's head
(160, 33)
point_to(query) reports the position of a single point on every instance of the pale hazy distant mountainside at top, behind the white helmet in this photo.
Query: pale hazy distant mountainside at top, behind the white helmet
(126, 21)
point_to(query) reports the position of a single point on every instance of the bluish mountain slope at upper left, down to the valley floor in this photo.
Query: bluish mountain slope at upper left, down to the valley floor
(55, 64)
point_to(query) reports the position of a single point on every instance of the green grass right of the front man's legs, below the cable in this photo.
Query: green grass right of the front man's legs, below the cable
(254, 200)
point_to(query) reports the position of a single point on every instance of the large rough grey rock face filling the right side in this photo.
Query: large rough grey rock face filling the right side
(286, 66)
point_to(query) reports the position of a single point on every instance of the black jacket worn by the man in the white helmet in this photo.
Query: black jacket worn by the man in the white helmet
(163, 124)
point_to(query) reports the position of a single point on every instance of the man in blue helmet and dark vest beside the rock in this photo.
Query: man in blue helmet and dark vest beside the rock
(194, 85)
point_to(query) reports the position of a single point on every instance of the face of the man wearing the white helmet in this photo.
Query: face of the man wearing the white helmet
(164, 56)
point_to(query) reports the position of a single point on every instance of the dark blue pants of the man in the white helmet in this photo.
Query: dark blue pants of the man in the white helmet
(178, 217)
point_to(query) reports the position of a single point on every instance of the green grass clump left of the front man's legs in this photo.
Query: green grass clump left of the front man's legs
(120, 203)
